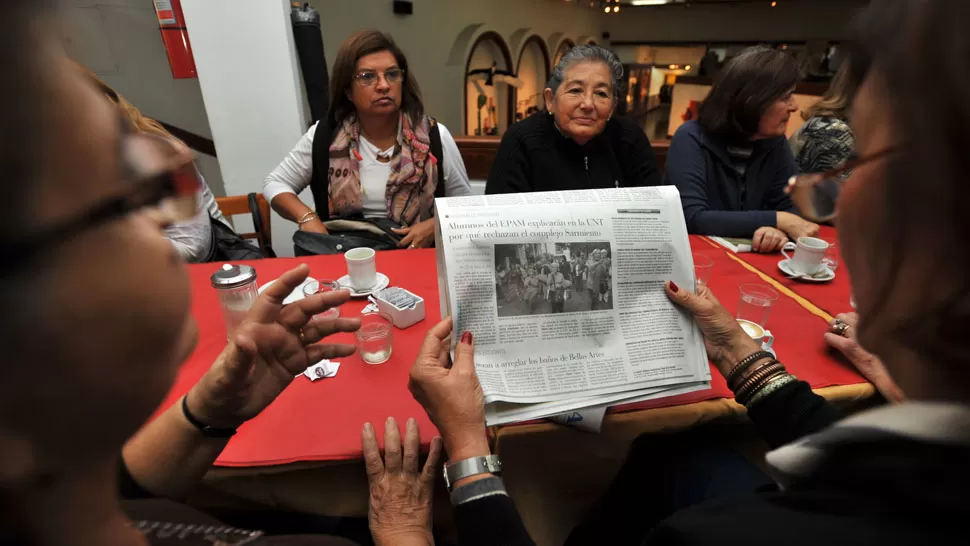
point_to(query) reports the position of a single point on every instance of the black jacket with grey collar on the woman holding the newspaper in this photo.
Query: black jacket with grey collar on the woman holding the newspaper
(864, 483)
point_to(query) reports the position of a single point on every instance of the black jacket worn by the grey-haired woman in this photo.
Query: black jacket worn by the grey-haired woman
(535, 156)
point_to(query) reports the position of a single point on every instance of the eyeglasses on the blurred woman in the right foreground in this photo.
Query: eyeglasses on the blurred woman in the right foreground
(815, 194)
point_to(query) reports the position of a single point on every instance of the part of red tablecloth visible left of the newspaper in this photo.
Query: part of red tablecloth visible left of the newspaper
(321, 421)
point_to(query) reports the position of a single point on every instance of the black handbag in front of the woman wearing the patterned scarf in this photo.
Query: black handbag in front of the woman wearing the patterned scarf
(346, 235)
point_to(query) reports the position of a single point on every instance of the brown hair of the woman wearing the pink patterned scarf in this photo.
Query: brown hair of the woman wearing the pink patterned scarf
(361, 44)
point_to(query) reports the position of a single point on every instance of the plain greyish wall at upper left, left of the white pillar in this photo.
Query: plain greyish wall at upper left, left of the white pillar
(119, 40)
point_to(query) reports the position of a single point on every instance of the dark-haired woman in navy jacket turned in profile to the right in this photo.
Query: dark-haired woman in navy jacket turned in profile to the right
(732, 164)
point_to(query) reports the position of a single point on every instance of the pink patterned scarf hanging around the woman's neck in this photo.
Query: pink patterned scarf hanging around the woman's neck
(410, 187)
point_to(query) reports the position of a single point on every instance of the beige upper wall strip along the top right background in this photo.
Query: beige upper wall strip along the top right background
(791, 20)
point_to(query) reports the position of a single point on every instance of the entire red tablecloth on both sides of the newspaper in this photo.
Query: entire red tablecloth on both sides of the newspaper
(321, 421)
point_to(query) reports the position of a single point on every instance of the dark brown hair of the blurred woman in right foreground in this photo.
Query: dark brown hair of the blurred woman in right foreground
(920, 52)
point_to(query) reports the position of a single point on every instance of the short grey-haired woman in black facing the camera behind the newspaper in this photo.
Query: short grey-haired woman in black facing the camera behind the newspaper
(576, 143)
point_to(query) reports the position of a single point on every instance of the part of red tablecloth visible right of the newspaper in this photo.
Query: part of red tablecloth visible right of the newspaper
(798, 333)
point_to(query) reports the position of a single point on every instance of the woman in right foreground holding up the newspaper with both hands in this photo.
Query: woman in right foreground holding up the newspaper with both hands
(893, 475)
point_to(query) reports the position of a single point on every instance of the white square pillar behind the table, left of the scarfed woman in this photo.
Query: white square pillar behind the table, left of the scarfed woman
(251, 84)
